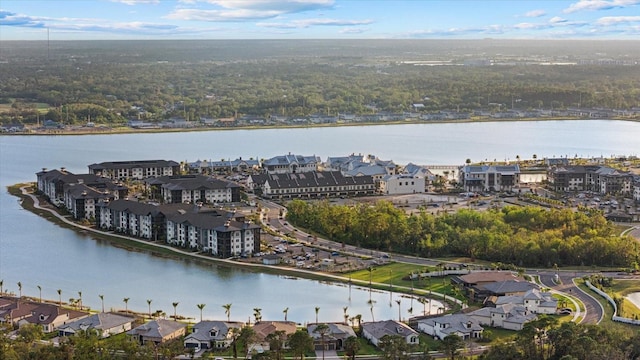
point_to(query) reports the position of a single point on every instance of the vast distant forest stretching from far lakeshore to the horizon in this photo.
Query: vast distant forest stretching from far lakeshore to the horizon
(111, 82)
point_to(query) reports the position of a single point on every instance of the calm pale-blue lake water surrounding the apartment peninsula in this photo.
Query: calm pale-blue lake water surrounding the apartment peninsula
(36, 252)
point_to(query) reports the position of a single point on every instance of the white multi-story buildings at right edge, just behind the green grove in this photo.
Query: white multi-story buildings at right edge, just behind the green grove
(599, 179)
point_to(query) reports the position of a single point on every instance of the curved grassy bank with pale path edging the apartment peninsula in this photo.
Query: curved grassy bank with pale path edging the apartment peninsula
(157, 249)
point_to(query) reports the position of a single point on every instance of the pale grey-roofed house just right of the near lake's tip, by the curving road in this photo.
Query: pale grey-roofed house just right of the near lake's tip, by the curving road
(506, 316)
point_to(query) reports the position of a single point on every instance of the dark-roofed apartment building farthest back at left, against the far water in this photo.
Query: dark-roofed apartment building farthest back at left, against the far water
(137, 170)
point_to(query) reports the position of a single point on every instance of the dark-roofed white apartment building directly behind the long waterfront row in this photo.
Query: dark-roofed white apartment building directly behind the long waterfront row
(193, 189)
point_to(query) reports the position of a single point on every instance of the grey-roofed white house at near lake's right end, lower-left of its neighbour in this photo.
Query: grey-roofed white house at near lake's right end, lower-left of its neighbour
(463, 325)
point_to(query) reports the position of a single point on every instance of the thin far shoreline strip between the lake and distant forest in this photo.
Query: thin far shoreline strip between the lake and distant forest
(128, 130)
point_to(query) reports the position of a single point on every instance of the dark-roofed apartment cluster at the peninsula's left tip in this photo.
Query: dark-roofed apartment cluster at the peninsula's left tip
(78, 193)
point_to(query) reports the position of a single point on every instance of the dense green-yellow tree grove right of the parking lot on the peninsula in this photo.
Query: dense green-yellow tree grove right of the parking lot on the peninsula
(523, 236)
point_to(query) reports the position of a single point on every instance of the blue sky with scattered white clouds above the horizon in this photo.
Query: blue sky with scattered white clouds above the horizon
(318, 19)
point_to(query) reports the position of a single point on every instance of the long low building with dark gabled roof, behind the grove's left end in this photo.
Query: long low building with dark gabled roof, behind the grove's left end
(311, 185)
